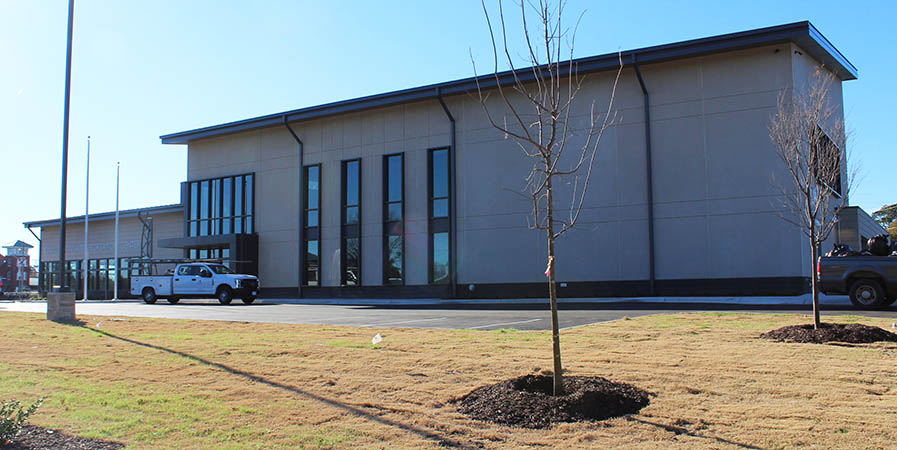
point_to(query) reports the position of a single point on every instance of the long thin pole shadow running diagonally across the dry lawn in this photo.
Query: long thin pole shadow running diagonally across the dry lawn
(426, 434)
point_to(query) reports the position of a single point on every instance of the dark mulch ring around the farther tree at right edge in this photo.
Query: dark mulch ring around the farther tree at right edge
(853, 333)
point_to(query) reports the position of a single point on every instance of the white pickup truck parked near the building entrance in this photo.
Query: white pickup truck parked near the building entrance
(196, 280)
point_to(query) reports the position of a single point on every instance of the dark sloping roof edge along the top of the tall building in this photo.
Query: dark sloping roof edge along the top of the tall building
(802, 33)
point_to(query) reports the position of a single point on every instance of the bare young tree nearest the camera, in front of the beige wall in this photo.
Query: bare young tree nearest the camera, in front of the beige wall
(537, 110)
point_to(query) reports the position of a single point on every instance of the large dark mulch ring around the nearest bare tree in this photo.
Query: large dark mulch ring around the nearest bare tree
(527, 401)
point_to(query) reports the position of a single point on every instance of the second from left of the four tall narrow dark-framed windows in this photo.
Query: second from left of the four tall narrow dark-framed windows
(351, 223)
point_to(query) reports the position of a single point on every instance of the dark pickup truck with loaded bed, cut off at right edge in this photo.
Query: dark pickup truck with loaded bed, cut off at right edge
(870, 281)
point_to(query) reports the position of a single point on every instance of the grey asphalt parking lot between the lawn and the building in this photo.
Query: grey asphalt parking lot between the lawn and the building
(485, 316)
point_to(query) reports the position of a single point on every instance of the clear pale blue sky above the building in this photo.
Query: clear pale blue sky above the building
(143, 69)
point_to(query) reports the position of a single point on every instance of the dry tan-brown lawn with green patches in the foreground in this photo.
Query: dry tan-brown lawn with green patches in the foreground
(200, 384)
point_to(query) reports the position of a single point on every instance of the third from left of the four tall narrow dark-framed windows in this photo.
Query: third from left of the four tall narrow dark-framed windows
(393, 222)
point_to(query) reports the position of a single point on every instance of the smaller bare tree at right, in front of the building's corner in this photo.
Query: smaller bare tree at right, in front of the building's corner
(810, 139)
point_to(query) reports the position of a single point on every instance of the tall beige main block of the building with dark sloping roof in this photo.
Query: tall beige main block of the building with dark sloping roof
(413, 194)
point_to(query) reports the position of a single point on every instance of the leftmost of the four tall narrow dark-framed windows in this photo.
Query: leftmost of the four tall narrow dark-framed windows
(311, 223)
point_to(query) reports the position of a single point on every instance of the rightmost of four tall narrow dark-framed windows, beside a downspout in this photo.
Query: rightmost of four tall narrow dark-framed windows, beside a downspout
(440, 258)
